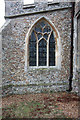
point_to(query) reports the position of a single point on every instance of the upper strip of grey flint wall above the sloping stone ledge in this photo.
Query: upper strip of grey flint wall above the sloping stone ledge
(17, 7)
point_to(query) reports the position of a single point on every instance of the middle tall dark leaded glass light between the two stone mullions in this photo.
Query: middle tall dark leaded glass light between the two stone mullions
(42, 53)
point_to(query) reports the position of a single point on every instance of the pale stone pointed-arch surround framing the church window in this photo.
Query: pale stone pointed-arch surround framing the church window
(58, 43)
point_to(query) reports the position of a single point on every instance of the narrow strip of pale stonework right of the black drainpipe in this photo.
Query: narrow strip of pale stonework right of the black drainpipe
(76, 60)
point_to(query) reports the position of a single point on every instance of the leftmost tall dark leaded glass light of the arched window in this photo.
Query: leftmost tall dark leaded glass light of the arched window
(32, 50)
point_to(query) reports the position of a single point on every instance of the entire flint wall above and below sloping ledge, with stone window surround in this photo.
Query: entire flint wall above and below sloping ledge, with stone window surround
(17, 76)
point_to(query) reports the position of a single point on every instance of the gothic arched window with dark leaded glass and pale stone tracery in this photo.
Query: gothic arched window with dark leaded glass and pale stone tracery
(42, 45)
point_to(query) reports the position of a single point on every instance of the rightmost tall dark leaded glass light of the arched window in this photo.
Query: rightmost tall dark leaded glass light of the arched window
(52, 50)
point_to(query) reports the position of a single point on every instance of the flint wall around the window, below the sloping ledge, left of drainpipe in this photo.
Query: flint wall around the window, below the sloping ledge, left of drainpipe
(15, 78)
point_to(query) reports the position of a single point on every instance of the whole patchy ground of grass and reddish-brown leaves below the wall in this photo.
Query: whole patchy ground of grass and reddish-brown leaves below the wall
(50, 105)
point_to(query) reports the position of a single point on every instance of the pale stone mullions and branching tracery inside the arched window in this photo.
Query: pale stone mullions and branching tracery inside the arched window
(36, 33)
